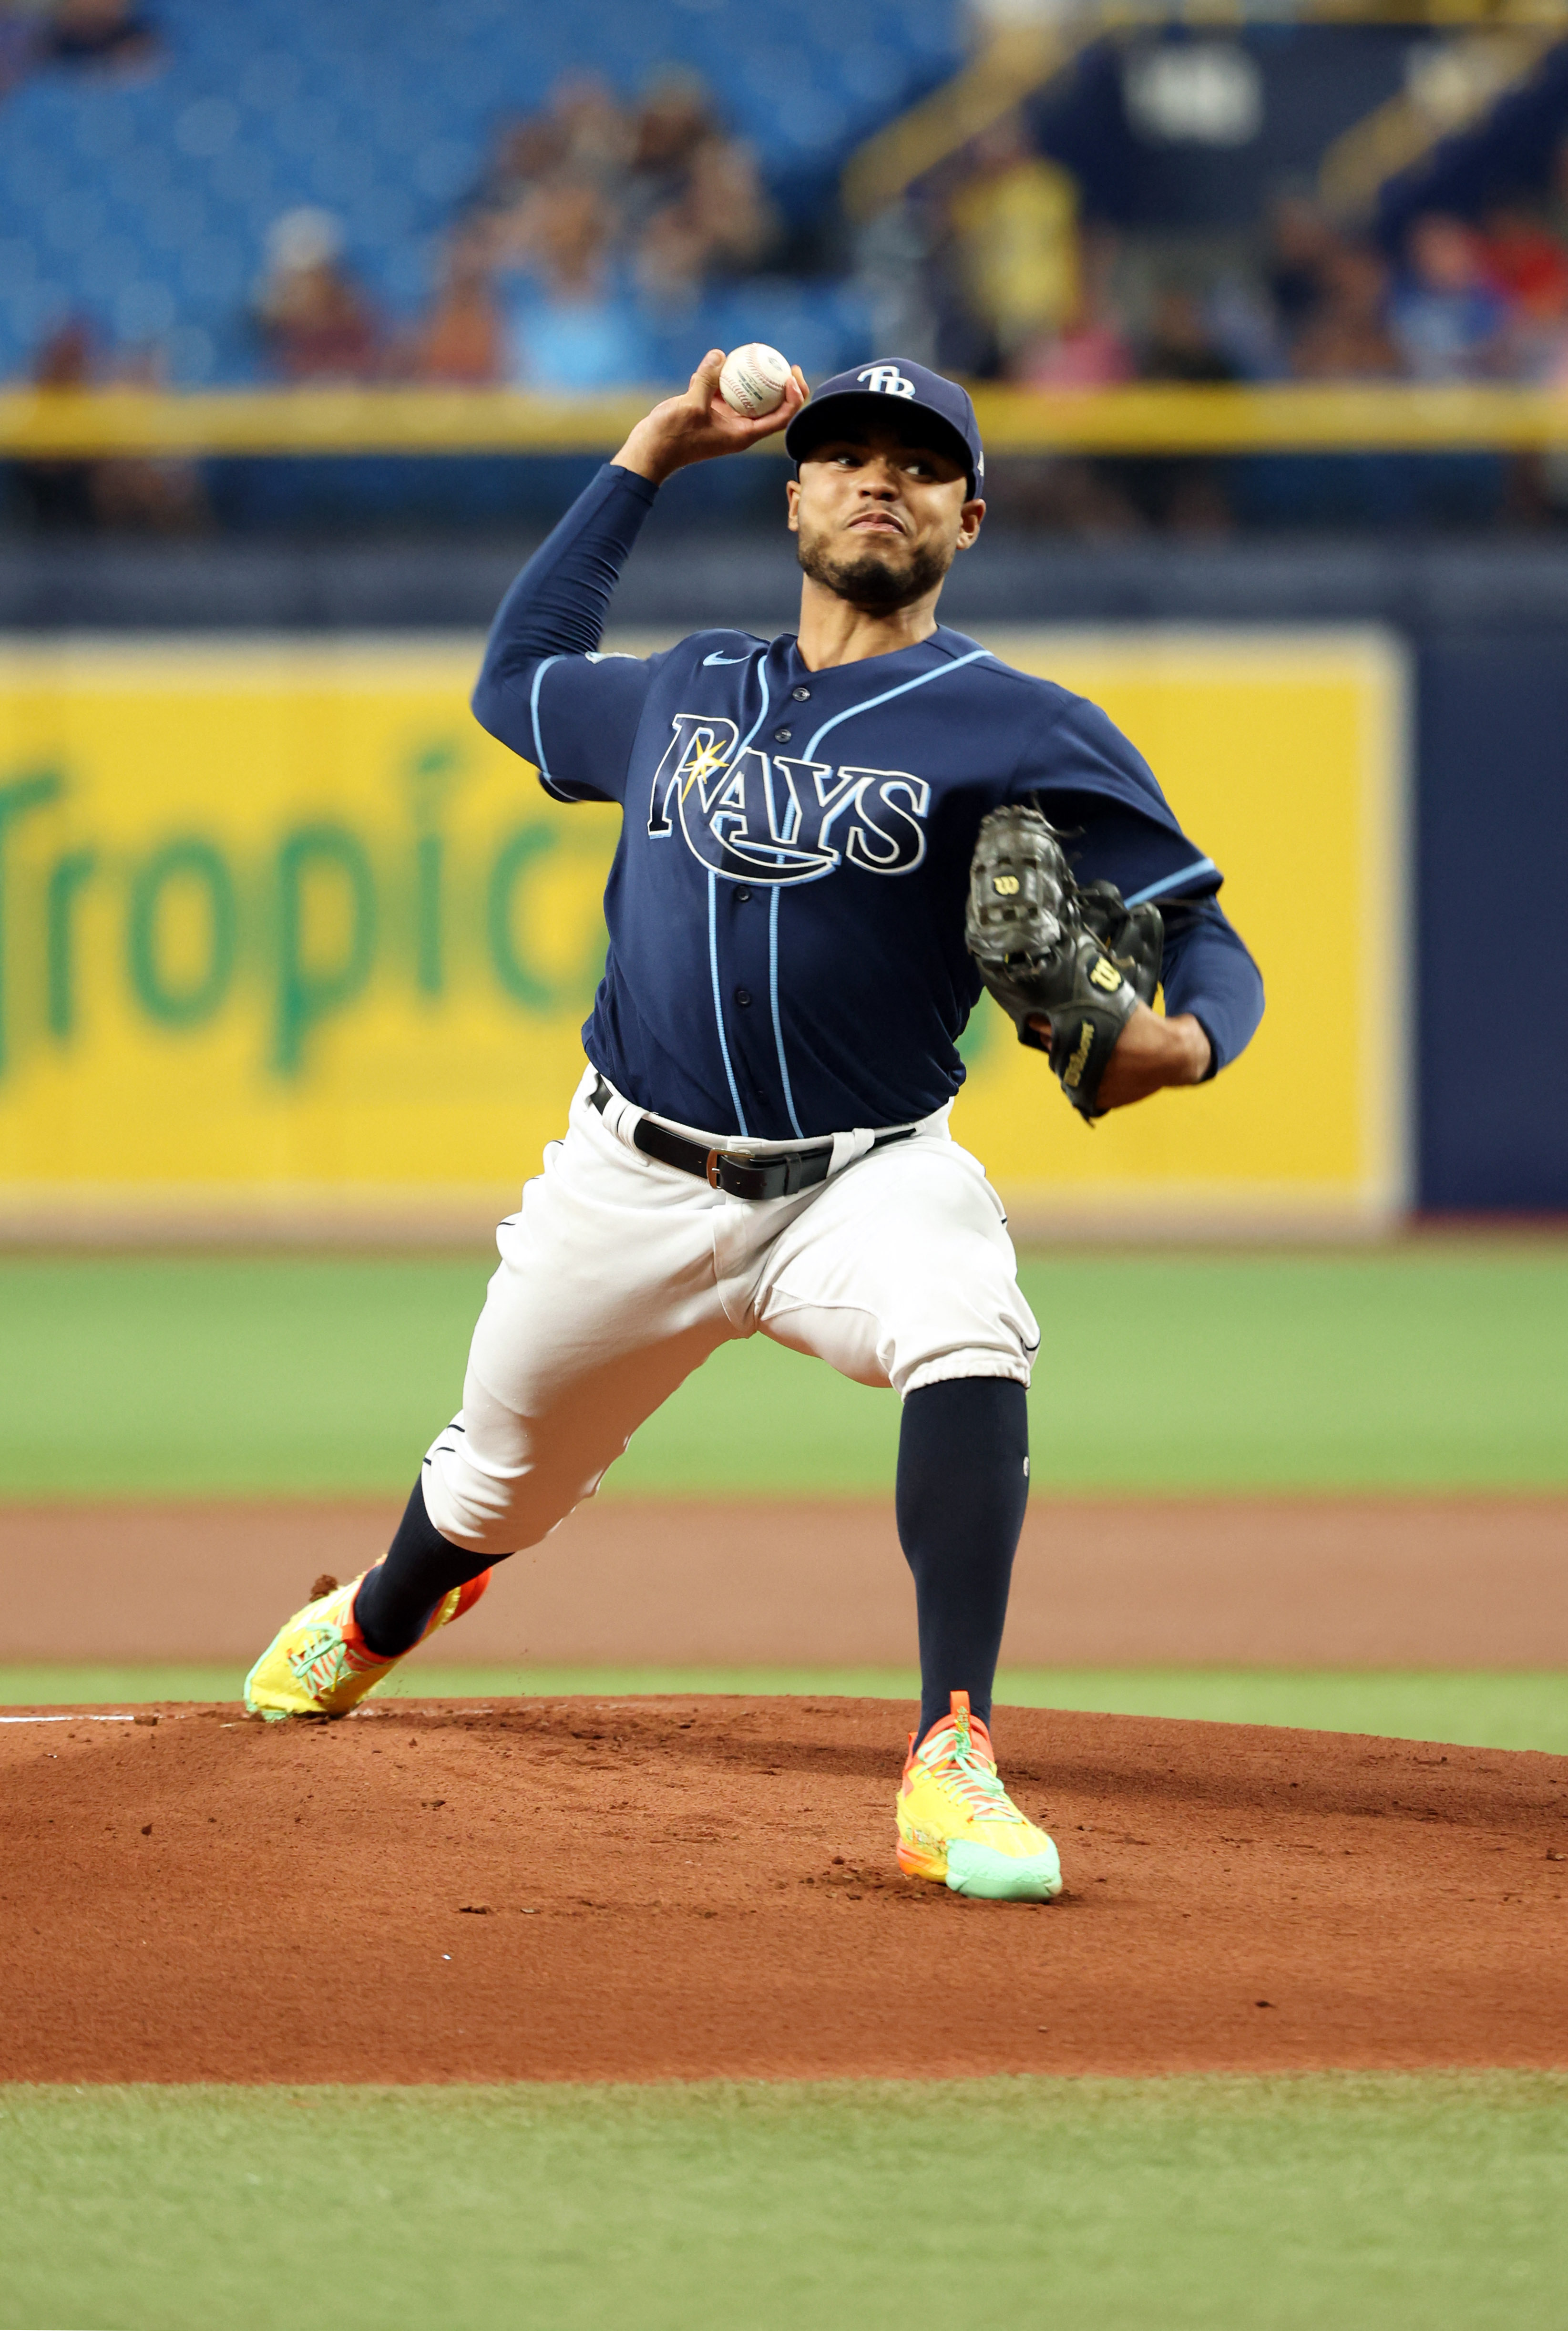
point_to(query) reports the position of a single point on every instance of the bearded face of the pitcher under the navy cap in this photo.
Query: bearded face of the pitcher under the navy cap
(882, 516)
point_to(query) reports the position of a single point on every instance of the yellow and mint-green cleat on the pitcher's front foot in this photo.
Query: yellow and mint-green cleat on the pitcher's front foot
(961, 1829)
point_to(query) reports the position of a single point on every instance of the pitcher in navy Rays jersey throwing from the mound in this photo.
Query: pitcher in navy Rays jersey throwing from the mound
(831, 845)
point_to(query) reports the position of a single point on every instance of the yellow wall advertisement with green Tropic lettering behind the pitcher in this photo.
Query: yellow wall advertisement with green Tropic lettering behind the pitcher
(285, 941)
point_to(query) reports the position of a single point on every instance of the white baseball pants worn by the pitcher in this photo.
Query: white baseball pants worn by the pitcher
(619, 1276)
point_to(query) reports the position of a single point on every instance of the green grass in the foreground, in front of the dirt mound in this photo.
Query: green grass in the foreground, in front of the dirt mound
(1415, 2204)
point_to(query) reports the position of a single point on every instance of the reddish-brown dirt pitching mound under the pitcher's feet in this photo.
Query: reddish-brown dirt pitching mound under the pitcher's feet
(640, 1889)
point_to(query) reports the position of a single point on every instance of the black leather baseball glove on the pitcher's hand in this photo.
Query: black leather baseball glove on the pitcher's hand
(1054, 950)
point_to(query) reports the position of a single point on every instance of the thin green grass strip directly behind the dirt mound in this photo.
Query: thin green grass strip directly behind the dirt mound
(1469, 1710)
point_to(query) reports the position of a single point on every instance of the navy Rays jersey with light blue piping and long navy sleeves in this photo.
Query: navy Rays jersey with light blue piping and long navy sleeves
(786, 903)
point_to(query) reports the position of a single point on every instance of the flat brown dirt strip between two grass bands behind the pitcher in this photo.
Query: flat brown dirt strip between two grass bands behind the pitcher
(1376, 1582)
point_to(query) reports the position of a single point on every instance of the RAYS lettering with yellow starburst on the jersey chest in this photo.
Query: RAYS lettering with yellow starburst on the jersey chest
(775, 819)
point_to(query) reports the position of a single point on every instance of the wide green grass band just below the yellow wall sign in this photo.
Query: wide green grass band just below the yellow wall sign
(283, 1376)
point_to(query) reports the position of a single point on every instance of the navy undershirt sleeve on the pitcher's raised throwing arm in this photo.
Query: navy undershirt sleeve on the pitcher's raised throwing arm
(563, 596)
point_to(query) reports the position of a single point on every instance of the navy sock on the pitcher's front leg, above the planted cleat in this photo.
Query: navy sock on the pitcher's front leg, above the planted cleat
(961, 1493)
